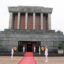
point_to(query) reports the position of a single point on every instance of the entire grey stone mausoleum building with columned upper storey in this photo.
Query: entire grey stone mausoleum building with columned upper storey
(28, 27)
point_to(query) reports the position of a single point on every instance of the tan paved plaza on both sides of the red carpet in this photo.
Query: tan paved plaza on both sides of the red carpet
(39, 60)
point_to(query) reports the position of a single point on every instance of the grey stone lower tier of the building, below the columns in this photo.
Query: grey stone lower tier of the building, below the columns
(10, 38)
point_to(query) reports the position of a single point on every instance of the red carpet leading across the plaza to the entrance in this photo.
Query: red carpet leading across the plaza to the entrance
(28, 59)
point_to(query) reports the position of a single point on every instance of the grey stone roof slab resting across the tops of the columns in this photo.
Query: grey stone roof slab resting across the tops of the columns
(30, 9)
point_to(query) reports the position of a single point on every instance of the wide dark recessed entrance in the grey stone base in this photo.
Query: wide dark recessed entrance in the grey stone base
(29, 46)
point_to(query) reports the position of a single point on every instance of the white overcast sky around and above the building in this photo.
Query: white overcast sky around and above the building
(57, 17)
